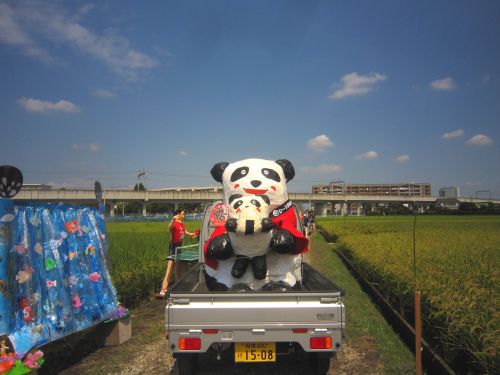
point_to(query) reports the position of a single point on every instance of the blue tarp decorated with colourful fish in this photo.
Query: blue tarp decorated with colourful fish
(58, 272)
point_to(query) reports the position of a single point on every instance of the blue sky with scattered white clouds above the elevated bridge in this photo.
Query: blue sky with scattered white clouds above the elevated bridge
(359, 91)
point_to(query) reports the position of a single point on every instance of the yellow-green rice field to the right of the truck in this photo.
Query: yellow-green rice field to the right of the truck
(457, 270)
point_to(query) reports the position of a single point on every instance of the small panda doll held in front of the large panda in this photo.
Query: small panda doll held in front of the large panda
(250, 230)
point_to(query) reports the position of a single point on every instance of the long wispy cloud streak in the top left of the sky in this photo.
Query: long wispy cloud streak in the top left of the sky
(29, 26)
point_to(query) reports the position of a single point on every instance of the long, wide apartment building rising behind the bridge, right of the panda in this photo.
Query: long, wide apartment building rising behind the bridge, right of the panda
(401, 189)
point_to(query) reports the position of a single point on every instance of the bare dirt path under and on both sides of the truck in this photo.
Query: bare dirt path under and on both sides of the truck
(147, 353)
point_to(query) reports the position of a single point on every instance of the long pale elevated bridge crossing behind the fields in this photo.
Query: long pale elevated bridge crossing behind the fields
(175, 197)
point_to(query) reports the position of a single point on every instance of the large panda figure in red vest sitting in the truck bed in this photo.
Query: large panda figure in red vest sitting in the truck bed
(264, 181)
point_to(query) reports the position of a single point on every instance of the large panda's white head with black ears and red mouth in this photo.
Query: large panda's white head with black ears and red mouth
(255, 177)
